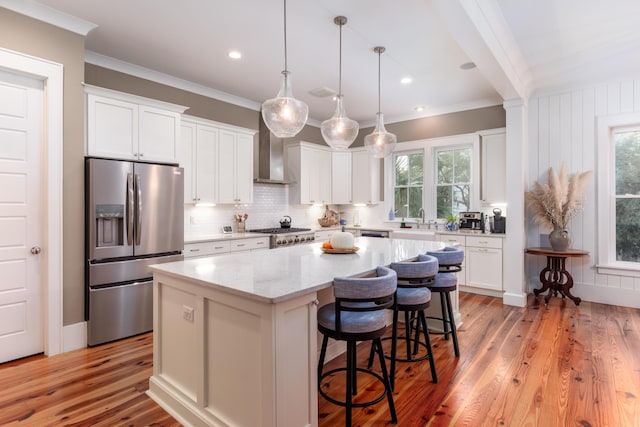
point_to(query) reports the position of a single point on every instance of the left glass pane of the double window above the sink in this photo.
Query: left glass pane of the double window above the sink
(408, 184)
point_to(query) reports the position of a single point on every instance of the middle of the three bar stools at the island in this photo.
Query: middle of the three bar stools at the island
(413, 297)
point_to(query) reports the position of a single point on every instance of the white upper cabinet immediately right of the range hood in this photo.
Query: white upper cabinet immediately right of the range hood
(309, 167)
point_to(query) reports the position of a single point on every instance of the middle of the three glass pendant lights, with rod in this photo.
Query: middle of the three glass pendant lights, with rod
(339, 131)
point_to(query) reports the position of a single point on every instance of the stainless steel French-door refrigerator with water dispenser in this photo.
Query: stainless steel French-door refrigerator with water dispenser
(134, 218)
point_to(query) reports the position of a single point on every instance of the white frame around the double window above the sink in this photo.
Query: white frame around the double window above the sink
(428, 147)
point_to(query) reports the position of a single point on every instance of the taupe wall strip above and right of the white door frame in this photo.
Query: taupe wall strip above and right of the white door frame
(23, 34)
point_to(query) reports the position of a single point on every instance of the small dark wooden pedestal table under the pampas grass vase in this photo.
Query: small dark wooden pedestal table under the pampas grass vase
(555, 277)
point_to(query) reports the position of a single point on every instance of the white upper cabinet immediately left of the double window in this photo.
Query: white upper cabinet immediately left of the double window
(365, 177)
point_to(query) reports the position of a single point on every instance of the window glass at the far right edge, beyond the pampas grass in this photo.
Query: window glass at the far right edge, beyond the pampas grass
(626, 152)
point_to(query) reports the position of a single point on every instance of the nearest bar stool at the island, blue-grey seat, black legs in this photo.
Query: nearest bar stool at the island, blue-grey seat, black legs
(358, 314)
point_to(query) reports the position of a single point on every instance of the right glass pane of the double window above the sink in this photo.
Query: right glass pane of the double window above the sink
(453, 181)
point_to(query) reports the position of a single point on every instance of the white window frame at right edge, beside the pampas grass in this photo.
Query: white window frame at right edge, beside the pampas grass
(606, 194)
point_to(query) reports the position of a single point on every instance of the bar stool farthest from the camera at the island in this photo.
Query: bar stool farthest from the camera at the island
(450, 261)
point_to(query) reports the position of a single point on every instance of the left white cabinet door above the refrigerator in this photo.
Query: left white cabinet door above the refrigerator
(112, 128)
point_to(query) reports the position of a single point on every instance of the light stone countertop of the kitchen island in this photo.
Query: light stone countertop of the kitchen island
(276, 275)
